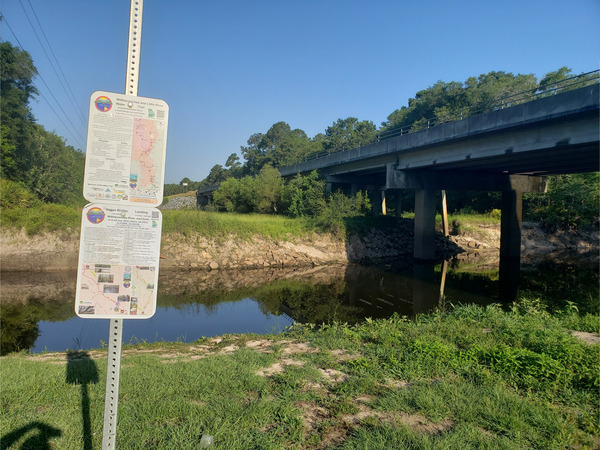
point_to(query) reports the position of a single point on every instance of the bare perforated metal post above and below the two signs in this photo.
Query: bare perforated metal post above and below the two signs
(113, 368)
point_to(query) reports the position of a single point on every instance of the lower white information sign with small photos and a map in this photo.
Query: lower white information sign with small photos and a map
(119, 254)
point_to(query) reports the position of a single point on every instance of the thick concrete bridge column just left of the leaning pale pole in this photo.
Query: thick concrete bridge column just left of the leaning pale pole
(424, 225)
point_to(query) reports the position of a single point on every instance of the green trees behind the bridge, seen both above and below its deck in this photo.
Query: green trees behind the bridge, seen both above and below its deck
(254, 185)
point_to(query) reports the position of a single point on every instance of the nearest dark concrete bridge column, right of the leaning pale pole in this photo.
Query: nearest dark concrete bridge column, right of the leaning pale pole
(510, 245)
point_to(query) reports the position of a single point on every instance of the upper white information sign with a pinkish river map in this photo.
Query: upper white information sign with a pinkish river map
(126, 149)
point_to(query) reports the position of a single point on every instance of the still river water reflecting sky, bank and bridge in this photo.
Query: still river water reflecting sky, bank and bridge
(37, 311)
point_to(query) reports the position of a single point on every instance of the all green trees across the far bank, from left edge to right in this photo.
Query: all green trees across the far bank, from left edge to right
(37, 165)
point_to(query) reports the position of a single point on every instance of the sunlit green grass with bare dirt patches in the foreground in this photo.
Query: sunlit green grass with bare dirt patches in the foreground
(471, 378)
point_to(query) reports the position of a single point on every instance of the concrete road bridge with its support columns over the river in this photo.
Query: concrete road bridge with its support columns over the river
(506, 150)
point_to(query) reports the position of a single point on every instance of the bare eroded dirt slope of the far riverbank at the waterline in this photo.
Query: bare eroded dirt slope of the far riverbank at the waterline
(477, 243)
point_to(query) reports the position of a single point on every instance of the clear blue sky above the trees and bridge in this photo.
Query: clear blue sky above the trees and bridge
(231, 68)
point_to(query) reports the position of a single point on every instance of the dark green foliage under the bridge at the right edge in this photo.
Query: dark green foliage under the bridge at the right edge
(571, 202)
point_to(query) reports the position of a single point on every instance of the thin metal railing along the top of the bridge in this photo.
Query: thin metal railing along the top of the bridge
(496, 104)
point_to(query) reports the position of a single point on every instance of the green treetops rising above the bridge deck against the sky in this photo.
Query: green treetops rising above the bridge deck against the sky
(282, 146)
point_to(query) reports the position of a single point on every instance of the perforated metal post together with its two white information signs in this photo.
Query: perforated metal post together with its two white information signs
(119, 248)
